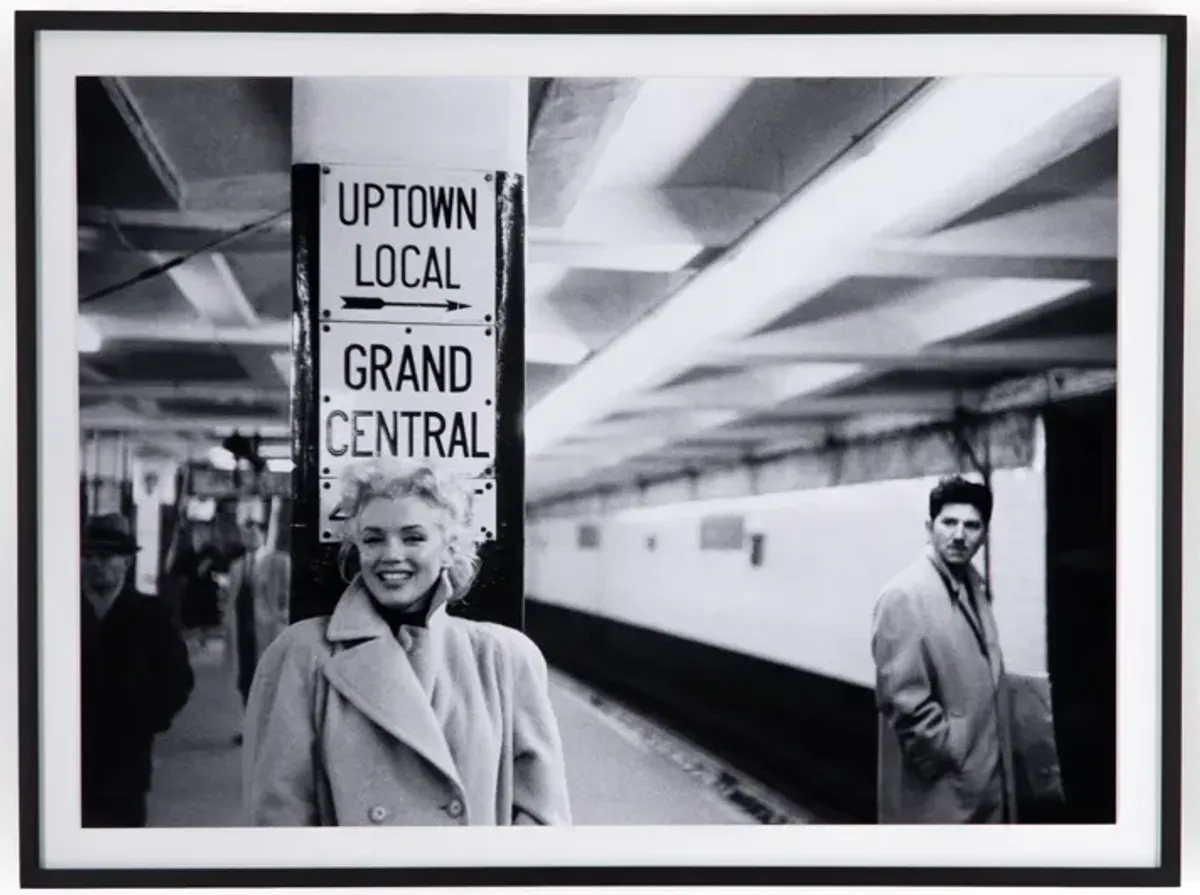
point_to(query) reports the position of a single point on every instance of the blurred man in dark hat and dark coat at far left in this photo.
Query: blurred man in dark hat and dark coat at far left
(136, 677)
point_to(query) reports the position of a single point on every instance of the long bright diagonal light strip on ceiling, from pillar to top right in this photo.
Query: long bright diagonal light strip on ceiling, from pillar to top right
(952, 136)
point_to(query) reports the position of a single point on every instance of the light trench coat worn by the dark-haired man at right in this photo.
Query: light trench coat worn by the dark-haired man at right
(943, 695)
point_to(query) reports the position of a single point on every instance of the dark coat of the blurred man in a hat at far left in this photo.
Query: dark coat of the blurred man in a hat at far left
(136, 677)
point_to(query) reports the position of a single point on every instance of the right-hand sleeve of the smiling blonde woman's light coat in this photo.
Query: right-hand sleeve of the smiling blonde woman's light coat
(539, 779)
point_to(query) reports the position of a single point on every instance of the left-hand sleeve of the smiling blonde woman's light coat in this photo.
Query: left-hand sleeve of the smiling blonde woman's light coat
(280, 738)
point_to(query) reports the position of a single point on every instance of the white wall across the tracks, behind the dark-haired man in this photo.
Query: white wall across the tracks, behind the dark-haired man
(826, 555)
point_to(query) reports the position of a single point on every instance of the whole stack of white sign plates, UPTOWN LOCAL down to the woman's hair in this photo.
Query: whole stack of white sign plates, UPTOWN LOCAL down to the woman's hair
(407, 340)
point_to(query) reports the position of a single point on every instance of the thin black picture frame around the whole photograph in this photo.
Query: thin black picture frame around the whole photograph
(32, 25)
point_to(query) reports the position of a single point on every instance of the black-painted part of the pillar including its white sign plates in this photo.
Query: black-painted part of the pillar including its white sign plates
(437, 373)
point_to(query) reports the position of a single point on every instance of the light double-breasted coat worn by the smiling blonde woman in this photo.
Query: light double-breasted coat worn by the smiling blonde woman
(445, 725)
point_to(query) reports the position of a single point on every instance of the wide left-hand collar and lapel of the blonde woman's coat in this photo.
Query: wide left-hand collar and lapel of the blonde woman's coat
(377, 678)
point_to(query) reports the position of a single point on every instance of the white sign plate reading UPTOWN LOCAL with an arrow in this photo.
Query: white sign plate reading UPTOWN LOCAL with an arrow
(407, 245)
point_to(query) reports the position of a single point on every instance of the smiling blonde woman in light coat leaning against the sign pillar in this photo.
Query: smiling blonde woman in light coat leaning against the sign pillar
(392, 712)
